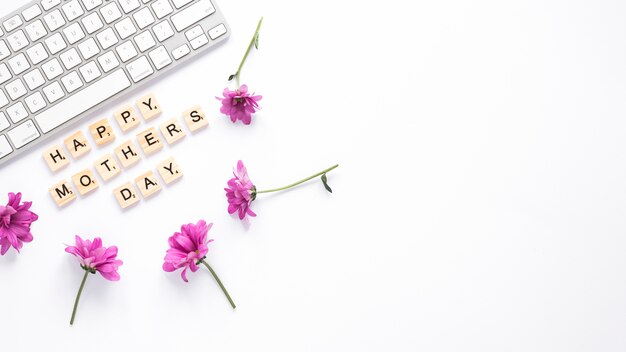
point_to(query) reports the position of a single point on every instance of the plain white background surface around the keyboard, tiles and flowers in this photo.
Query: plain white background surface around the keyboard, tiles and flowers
(479, 205)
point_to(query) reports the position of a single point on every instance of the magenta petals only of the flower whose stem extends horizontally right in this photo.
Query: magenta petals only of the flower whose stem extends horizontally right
(240, 192)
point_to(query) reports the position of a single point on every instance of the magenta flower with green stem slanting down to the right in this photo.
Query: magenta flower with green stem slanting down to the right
(188, 248)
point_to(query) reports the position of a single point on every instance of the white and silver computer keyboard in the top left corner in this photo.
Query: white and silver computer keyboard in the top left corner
(59, 60)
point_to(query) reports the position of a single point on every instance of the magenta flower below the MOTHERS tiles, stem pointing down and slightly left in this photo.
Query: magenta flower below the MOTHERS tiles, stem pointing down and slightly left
(94, 258)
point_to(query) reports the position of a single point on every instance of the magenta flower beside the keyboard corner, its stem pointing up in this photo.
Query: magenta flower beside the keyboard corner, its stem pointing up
(239, 104)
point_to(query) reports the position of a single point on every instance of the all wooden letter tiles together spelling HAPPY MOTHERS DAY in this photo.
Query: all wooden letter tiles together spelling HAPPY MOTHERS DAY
(124, 155)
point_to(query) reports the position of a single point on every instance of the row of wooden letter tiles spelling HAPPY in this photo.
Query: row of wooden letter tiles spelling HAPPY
(102, 132)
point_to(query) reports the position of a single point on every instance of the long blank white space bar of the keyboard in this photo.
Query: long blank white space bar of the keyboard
(82, 101)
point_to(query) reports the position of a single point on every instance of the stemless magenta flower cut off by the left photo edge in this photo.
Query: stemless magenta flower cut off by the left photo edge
(15, 221)
